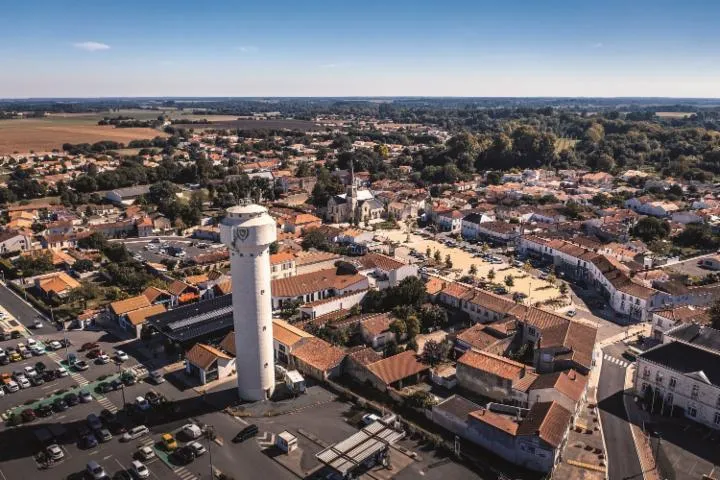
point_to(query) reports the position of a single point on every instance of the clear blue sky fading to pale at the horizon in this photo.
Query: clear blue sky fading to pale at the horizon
(667, 48)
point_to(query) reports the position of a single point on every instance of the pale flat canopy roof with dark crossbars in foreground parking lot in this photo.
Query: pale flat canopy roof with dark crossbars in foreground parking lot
(351, 452)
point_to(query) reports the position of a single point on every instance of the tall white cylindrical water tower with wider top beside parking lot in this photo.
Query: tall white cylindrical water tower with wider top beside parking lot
(248, 230)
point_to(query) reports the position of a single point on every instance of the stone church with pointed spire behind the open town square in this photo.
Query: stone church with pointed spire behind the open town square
(354, 206)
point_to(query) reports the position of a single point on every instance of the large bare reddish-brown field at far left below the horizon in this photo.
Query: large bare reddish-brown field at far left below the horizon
(46, 134)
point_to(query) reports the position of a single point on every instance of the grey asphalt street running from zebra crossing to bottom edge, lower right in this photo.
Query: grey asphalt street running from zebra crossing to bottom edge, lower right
(623, 462)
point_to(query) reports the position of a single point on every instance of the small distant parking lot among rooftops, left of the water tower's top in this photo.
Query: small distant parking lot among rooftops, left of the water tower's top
(155, 250)
